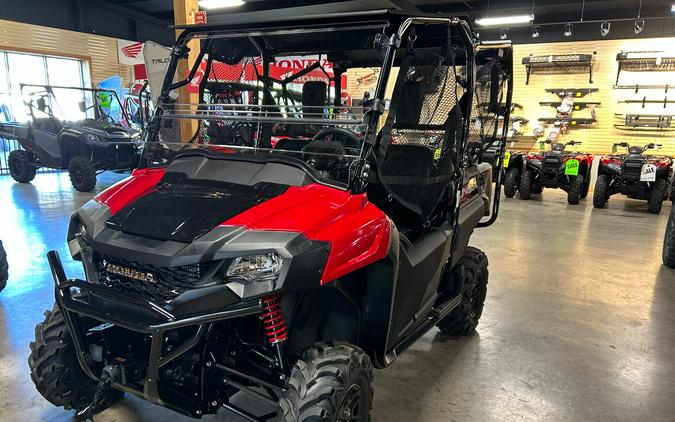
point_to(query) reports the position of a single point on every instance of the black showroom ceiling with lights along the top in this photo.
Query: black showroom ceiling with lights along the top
(147, 19)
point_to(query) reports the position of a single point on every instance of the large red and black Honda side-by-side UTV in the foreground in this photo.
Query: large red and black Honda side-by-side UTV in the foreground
(294, 244)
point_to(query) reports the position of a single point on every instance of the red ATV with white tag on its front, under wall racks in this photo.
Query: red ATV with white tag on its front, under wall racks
(635, 174)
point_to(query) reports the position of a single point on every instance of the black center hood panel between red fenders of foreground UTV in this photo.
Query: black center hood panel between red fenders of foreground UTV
(185, 211)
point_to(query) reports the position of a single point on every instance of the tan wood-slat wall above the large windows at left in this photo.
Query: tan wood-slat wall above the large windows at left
(100, 52)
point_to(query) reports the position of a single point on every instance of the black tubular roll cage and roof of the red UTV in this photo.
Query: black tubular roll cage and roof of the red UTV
(397, 37)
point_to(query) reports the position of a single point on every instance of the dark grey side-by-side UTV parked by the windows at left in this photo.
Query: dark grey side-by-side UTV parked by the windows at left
(82, 147)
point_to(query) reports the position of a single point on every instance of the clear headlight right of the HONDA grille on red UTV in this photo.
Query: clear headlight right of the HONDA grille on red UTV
(254, 274)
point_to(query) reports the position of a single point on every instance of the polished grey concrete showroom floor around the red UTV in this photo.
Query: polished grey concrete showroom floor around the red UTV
(579, 323)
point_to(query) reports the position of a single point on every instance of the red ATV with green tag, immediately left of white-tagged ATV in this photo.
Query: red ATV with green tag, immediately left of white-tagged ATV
(557, 168)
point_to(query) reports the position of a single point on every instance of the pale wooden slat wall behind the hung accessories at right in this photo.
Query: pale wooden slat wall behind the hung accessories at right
(598, 137)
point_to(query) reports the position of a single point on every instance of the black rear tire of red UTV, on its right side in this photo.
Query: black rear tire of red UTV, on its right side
(471, 272)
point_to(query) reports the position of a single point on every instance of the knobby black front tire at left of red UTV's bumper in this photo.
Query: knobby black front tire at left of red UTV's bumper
(55, 370)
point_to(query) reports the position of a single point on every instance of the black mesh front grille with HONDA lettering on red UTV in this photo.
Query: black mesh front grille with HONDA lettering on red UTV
(158, 284)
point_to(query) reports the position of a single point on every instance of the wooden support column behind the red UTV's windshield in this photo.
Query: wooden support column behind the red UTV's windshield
(183, 14)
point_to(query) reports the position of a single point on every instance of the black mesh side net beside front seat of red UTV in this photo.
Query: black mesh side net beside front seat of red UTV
(419, 159)
